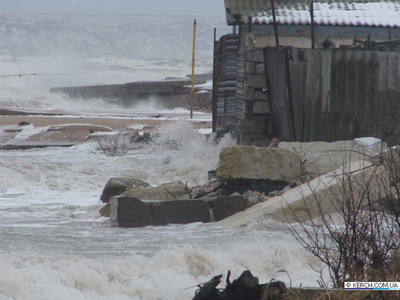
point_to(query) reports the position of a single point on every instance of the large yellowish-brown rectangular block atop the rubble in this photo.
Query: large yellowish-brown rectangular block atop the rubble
(249, 162)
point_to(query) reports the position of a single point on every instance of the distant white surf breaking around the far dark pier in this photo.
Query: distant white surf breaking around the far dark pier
(32, 91)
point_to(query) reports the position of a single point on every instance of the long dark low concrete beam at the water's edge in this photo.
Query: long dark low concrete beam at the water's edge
(132, 212)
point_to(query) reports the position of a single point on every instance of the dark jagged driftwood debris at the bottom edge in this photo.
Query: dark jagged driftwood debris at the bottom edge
(245, 287)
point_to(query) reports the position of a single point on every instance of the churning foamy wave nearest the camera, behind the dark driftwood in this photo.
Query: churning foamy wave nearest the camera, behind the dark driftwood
(163, 275)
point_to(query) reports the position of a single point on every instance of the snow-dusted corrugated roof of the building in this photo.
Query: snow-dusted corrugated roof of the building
(373, 13)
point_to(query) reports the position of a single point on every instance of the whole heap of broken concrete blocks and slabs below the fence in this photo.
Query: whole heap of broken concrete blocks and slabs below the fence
(251, 183)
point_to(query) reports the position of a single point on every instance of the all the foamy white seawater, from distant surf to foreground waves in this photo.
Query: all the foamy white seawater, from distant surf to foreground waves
(54, 244)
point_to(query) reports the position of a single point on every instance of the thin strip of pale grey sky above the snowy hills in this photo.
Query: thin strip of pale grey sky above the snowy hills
(175, 7)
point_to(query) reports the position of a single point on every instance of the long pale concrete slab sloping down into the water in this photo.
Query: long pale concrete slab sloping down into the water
(299, 204)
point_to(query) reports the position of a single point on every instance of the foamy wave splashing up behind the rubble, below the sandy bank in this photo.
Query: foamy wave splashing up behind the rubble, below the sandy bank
(178, 153)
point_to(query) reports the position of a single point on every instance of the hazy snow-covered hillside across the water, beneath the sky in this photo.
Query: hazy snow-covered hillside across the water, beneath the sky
(131, 36)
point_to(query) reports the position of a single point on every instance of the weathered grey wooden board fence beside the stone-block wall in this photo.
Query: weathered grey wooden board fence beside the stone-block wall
(333, 94)
